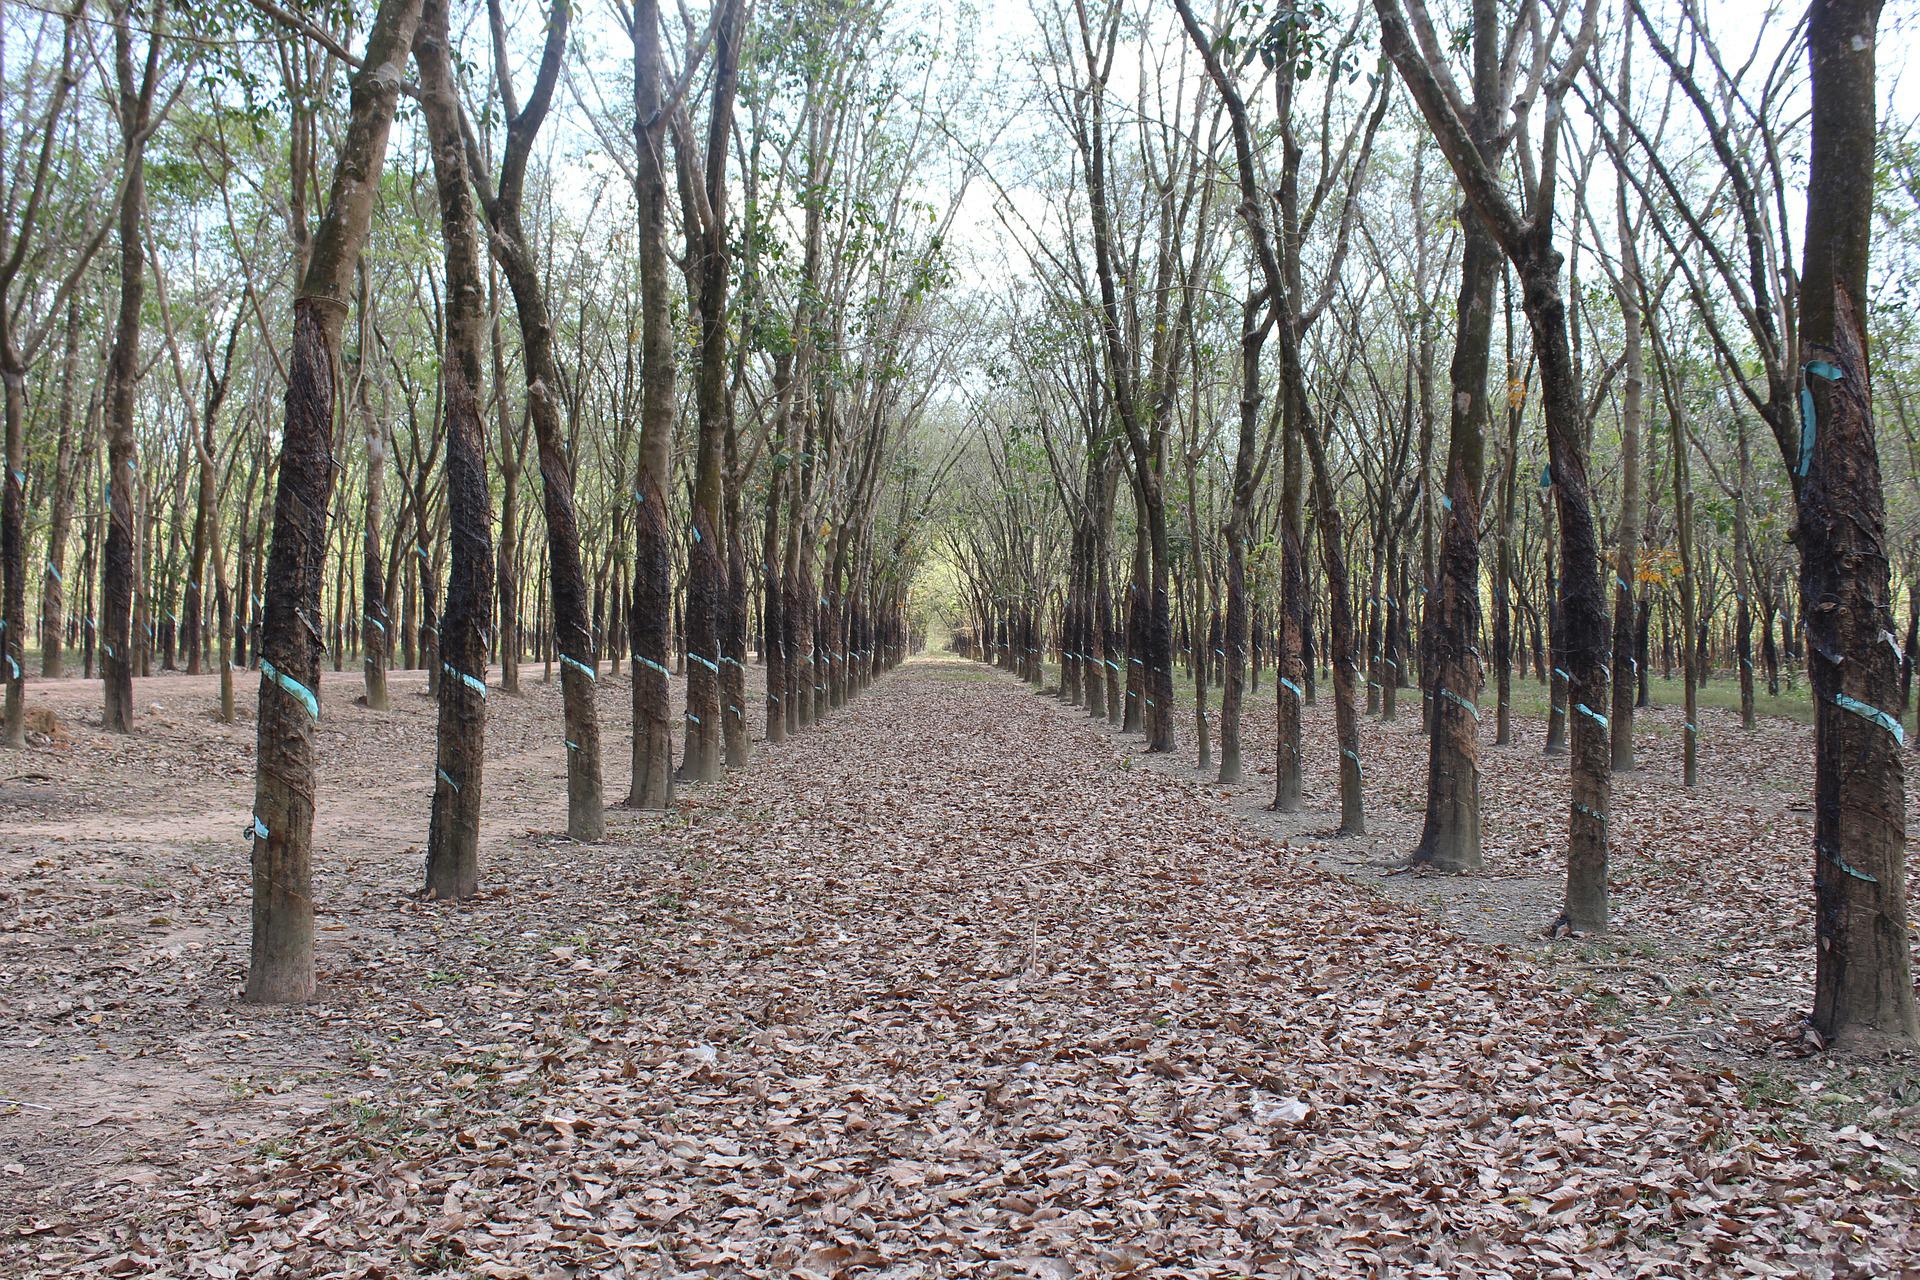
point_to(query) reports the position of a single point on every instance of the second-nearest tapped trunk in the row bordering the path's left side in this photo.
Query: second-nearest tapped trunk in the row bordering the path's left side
(454, 832)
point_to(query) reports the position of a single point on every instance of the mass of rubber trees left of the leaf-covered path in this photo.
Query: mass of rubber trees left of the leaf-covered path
(306, 310)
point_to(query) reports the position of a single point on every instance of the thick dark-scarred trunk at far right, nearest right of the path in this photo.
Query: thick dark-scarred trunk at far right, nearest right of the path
(1863, 964)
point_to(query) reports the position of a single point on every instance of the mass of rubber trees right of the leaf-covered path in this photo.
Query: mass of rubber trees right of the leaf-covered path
(1222, 427)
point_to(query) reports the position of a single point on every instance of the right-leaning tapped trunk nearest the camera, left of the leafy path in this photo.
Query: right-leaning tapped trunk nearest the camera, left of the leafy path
(281, 968)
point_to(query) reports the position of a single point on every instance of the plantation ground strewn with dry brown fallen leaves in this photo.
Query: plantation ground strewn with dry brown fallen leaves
(953, 984)
